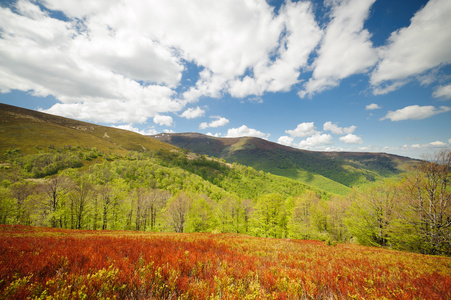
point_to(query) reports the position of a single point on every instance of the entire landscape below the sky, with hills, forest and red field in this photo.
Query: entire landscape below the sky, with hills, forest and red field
(69, 187)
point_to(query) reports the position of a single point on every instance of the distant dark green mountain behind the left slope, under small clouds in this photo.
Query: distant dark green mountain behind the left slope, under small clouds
(330, 171)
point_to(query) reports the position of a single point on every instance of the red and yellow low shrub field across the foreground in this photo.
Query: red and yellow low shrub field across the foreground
(45, 263)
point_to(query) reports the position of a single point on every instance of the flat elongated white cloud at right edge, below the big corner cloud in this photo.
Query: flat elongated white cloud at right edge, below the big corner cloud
(415, 112)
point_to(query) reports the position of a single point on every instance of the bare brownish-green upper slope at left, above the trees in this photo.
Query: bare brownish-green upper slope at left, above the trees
(29, 130)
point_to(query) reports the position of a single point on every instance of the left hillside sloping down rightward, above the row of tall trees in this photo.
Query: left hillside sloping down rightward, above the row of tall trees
(35, 145)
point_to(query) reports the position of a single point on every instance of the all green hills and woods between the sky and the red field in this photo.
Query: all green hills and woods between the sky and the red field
(63, 173)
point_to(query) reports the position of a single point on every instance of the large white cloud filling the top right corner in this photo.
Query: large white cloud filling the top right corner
(415, 49)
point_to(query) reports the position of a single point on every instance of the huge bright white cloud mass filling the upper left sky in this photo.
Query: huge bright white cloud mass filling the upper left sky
(118, 55)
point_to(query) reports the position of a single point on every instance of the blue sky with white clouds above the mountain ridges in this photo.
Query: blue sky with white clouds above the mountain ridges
(332, 75)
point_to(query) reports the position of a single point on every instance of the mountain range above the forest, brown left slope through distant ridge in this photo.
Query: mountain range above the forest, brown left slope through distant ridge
(32, 132)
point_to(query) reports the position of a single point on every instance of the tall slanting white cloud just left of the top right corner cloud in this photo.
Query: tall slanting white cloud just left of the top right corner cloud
(346, 48)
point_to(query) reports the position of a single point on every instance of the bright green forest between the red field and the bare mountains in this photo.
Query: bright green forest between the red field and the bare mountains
(179, 191)
